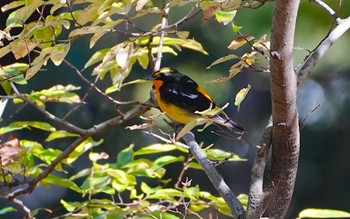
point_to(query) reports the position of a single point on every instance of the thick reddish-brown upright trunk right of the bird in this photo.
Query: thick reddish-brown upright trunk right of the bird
(285, 129)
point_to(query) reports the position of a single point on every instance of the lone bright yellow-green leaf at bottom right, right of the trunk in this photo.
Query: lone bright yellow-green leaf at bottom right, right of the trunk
(323, 213)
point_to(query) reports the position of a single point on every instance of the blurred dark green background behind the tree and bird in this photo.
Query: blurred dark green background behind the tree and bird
(323, 175)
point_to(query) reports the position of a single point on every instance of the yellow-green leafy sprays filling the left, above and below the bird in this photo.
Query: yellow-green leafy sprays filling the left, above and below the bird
(113, 189)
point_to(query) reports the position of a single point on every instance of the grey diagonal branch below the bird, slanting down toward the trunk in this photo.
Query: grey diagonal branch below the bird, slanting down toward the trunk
(215, 178)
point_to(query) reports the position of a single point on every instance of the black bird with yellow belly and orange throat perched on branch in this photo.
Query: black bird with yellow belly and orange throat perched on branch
(181, 99)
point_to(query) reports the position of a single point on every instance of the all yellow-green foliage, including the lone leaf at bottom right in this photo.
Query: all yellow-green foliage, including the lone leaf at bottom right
(132, 184)
